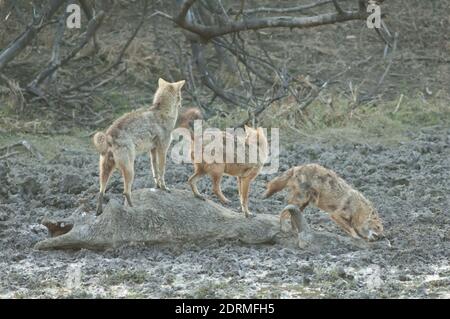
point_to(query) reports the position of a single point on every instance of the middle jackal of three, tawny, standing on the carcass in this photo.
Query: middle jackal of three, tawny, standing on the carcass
(245, 172)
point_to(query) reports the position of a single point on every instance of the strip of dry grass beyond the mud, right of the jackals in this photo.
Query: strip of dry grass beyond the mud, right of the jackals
(386, 121)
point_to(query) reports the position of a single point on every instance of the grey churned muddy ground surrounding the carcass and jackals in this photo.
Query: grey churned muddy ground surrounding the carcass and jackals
(408, 182)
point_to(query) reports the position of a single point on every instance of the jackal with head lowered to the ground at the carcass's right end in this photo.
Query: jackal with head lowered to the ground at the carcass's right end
(322, 187)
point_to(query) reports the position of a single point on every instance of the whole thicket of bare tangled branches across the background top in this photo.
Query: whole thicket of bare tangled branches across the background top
(224, 38)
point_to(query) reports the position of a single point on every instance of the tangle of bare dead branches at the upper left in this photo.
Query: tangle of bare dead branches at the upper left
(62, 92)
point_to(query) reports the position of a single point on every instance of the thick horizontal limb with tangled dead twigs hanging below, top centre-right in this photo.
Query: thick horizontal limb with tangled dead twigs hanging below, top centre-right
(262, 80)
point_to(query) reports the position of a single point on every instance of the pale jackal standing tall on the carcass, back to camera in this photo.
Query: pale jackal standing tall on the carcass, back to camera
(143, 130)
